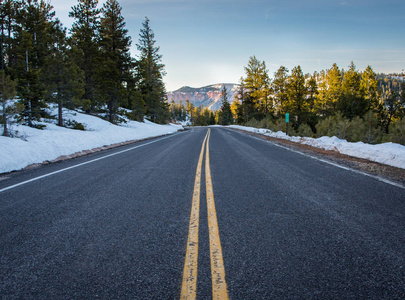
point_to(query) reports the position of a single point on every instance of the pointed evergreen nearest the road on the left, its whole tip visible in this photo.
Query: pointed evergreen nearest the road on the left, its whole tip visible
(151, 71)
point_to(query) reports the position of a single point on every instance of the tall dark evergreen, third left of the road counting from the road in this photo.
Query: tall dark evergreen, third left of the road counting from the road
(84, 40)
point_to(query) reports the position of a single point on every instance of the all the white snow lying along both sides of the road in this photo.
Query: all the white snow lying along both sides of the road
(36, 146)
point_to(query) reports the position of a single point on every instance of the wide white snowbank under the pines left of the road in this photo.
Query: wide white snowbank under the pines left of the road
(37, 146)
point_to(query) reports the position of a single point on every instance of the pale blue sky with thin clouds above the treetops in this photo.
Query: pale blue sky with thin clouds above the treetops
(206, 42)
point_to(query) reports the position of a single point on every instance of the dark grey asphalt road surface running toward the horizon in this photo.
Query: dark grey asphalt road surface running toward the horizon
(114, 225)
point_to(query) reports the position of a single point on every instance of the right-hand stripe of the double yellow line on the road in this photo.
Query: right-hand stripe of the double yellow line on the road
(219, 288)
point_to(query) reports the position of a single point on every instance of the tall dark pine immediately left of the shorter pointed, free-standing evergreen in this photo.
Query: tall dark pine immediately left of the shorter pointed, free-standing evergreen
(117, 62)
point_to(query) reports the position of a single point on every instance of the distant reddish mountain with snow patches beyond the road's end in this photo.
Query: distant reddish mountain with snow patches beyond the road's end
(207, 96)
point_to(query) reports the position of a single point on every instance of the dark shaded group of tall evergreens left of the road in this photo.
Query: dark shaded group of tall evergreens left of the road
(88, 67)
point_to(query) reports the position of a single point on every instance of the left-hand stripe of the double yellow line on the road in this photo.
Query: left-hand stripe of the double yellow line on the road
(189, 285)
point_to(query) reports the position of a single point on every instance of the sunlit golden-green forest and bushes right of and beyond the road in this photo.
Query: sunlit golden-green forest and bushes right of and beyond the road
(346, 103)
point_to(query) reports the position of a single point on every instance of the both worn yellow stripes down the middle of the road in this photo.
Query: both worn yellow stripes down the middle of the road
(189, 285)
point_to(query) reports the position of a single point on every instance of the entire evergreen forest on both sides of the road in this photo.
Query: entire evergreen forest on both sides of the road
(89, 68)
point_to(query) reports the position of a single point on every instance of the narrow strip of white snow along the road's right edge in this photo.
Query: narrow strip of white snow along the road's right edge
(388, 153)
